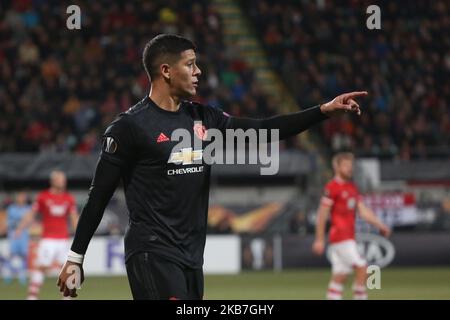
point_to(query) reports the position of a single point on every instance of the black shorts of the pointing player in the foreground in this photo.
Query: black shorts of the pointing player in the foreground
(154, 278)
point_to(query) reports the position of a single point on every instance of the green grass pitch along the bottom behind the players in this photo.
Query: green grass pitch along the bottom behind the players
(396, 283)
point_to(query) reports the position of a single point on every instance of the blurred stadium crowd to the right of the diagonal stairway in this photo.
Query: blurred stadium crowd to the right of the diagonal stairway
(321, 50)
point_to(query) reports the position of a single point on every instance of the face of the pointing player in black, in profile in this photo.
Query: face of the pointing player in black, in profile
(184, 74)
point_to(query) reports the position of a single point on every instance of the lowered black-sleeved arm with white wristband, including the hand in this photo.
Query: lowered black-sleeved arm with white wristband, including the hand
(106, 179)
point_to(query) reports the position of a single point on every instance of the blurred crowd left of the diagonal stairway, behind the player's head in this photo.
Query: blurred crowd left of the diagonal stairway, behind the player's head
(62, 88)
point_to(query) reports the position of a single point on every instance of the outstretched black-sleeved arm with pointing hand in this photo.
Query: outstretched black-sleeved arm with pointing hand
(294, 123)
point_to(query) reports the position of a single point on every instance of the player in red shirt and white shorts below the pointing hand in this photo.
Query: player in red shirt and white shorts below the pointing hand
(342, 199)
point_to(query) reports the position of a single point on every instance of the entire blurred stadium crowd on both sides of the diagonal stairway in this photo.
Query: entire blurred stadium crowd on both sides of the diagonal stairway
(60, 89)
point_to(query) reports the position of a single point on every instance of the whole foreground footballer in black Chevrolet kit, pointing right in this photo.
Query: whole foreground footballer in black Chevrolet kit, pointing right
(167, 188)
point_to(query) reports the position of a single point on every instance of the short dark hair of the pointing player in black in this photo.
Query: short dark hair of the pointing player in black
(164, 48)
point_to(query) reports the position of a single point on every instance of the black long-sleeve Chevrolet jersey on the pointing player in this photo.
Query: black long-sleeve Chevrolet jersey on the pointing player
(166, 189)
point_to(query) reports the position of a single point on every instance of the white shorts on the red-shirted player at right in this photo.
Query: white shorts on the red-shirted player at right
(344, 256)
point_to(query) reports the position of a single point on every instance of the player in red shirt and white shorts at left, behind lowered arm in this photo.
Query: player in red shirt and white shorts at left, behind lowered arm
(55, 205)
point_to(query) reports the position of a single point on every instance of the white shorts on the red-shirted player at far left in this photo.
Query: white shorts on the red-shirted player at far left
(51, 250)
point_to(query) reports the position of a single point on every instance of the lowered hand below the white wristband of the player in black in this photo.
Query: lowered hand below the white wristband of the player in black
(70, 279)
